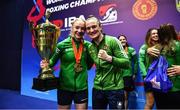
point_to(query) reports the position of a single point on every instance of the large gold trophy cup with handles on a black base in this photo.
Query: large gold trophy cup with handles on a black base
(46, 36)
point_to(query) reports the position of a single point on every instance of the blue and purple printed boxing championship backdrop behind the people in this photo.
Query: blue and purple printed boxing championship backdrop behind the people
(129, 17)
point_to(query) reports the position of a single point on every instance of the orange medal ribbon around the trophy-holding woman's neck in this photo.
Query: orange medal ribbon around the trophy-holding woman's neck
(77, 52)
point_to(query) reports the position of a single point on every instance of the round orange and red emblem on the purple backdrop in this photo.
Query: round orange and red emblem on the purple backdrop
(144, 9)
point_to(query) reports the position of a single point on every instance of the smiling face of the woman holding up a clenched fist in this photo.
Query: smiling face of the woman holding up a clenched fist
(93, 28)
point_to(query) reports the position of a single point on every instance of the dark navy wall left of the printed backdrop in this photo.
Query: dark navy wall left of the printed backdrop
(11, 25)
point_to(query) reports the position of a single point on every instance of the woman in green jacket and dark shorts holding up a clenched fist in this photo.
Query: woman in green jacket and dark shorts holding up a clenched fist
(109, 58)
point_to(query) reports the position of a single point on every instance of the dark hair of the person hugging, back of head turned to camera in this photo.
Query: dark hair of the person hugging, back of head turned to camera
(167, 33)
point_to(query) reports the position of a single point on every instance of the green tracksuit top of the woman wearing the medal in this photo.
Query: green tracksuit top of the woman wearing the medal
(68, 78)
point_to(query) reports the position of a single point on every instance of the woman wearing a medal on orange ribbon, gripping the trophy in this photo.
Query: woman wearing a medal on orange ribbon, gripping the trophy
(73, 54)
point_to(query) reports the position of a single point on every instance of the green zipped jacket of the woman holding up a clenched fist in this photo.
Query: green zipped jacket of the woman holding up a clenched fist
(109, 76)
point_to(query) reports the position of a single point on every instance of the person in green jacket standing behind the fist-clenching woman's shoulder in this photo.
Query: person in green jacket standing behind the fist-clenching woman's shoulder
(129, 74)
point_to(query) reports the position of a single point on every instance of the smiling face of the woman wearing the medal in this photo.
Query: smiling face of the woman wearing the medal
(78, 29)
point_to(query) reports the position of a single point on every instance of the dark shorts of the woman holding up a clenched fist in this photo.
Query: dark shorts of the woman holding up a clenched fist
(112, 98)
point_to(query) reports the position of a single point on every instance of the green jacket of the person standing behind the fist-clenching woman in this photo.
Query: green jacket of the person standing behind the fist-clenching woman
(133, 59)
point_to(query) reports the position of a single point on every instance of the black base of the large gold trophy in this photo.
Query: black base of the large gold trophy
(45, 84)
